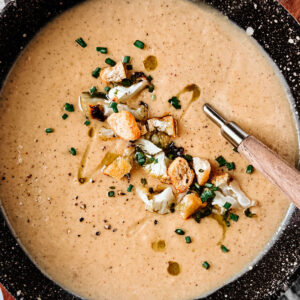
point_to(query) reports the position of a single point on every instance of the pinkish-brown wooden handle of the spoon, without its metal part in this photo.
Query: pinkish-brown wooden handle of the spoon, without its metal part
(274, 168)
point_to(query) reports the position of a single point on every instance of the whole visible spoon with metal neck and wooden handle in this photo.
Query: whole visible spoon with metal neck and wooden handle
(278, 171)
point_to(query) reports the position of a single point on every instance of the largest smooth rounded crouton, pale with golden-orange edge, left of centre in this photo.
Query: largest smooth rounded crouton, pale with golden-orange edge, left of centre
(124, 125)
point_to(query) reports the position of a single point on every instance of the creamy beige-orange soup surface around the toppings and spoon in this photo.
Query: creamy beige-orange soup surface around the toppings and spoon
(107, 246)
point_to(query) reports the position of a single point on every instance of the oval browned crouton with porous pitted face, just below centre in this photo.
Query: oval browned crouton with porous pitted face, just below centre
(181, 174)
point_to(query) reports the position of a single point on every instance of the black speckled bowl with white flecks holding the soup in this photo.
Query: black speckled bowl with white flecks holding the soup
(278, 33)
